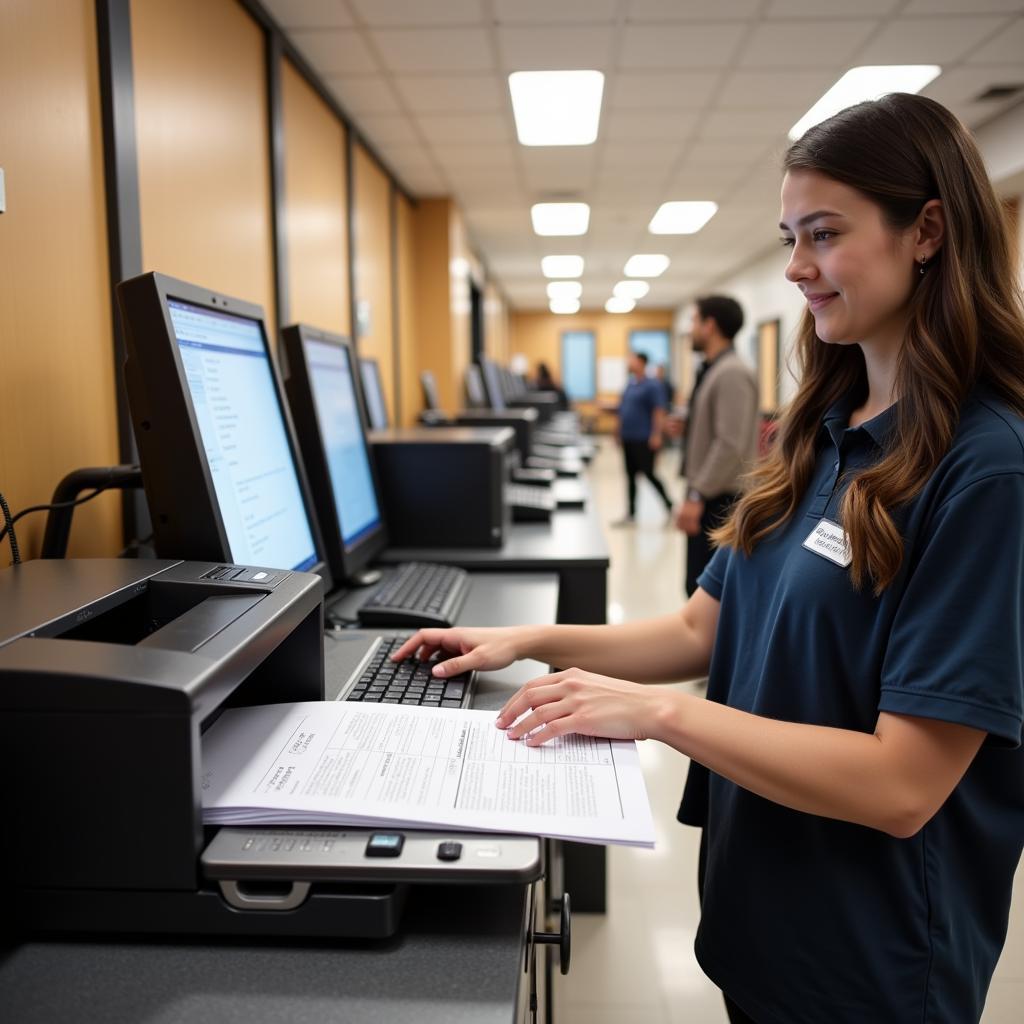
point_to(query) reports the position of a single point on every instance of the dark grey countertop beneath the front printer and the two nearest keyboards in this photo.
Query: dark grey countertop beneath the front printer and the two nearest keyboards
(457, 958)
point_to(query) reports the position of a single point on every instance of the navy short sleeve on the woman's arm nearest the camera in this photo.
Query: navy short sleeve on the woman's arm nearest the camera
(955, 651)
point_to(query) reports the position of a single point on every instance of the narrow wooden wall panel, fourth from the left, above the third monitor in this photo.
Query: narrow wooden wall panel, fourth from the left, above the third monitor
(372, 195)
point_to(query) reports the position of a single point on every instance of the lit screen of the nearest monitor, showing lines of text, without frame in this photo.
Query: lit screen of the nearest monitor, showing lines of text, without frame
(245, 438)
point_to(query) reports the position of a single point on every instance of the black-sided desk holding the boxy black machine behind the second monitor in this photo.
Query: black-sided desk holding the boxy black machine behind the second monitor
(572, 545)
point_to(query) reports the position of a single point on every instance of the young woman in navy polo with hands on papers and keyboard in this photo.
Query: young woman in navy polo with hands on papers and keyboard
(858, 763)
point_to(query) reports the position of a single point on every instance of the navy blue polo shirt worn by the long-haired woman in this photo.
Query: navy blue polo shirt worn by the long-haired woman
(808, 920)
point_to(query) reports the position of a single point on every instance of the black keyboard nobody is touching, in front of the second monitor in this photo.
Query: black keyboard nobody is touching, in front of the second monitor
(418, 594)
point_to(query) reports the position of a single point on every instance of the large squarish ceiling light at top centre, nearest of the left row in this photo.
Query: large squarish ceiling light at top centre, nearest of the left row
(557, 108)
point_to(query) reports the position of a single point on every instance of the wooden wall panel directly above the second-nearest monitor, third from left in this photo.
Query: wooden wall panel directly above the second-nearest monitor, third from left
(316, 207)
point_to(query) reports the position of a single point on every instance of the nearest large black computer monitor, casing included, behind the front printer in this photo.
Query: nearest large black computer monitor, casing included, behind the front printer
(221, 463)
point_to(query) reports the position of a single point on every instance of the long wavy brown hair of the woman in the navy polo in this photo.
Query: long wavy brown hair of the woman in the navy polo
(965, 326)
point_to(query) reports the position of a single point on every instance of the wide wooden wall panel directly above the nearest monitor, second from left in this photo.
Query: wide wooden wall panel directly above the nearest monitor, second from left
(204, 161)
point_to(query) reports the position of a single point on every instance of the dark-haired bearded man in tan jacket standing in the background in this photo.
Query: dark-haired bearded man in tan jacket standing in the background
(722, 430)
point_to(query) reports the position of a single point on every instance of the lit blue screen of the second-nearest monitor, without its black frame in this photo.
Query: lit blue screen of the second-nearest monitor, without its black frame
(337, 411)
